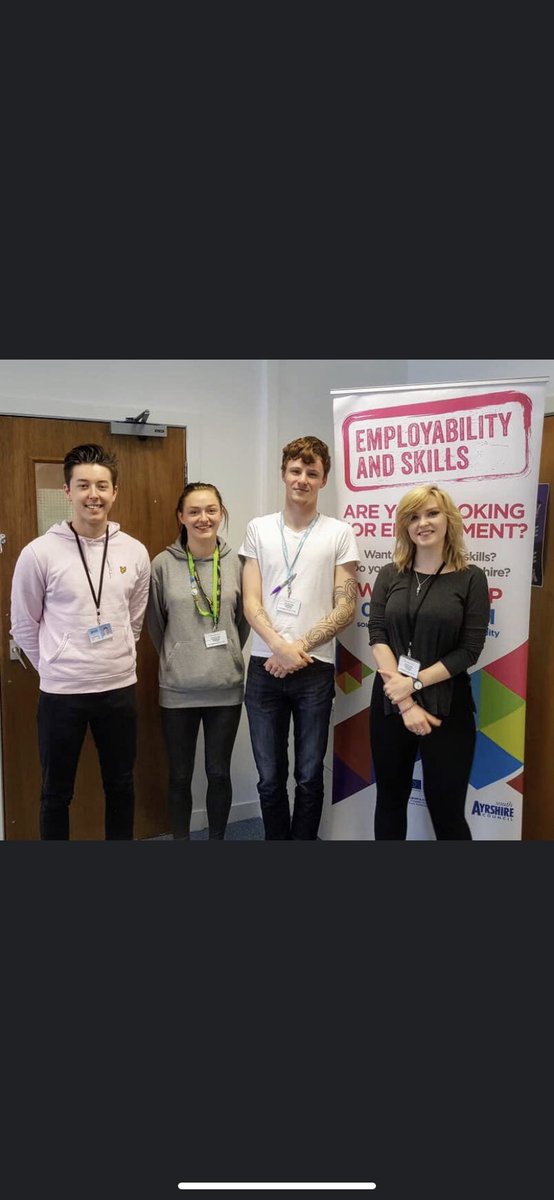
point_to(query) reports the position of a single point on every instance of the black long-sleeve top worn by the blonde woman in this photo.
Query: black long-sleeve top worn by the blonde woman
(451, 625)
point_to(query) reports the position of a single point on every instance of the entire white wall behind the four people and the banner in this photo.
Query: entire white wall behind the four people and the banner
(239, 415)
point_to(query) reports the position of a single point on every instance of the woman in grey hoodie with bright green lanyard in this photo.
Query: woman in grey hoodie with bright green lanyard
(196, 621)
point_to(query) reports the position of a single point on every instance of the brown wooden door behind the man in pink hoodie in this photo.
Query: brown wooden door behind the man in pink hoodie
(152, 478)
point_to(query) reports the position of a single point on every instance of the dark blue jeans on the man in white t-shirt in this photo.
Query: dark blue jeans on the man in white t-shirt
(308, 698)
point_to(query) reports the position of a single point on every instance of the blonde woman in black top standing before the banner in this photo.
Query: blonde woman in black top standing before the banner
(429, 621)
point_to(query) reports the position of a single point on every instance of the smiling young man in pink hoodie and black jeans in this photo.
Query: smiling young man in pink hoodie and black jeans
(80, 593)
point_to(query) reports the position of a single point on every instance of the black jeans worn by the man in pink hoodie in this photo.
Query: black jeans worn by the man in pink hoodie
(63, 723)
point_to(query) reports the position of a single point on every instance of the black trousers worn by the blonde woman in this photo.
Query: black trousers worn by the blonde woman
(447, 759)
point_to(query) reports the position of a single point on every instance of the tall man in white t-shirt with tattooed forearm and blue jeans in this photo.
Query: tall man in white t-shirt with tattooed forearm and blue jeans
(299, 590)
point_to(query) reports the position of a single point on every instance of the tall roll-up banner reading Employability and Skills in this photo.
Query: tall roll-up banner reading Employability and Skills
(481, 443)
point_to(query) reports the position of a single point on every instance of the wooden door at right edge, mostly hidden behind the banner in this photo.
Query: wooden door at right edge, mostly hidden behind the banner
(539, 777)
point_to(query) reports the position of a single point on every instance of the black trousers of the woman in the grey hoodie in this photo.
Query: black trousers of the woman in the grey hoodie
(180, 728)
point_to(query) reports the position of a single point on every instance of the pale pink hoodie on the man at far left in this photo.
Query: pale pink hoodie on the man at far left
(53, 609)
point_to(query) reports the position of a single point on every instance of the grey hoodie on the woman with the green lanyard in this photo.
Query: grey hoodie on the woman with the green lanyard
(191, 675)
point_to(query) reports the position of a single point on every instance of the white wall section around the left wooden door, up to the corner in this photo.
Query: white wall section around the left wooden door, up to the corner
(222, 404)
